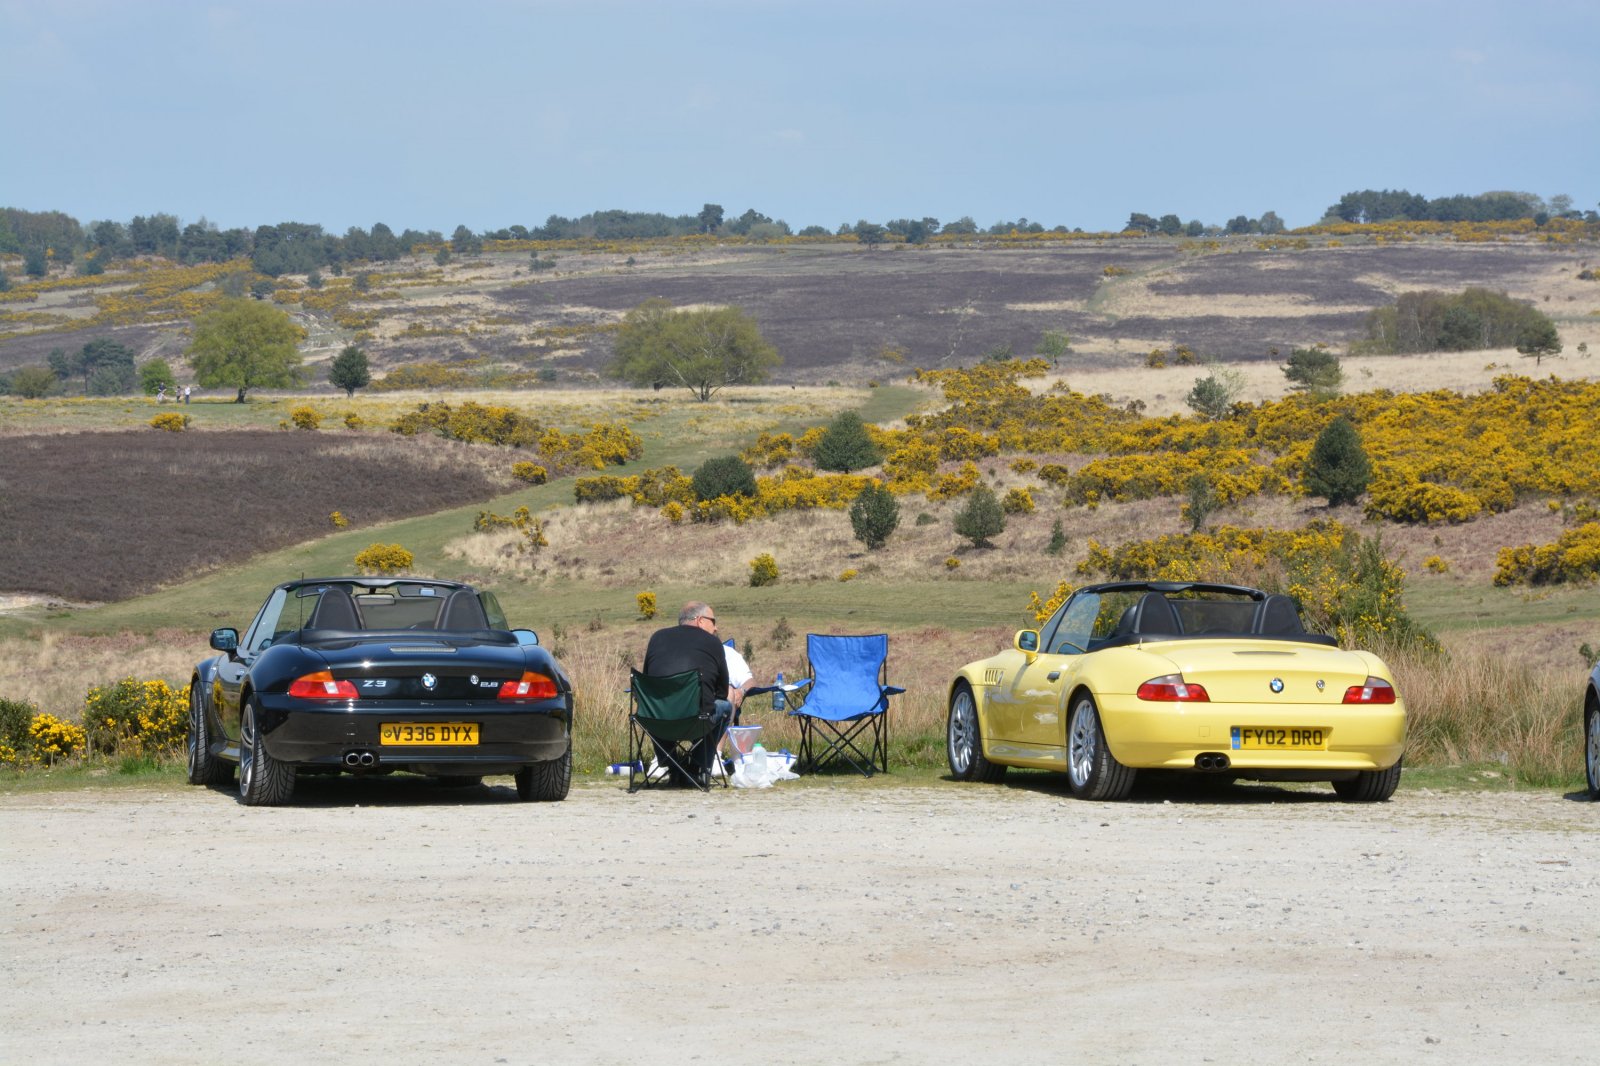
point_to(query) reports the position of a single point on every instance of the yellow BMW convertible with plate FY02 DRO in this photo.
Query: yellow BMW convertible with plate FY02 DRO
(1215, 679)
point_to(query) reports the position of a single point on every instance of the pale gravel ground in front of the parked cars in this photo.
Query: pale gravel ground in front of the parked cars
(822, 921)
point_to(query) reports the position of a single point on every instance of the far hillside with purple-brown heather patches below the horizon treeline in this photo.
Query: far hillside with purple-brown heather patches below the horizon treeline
(836, 311)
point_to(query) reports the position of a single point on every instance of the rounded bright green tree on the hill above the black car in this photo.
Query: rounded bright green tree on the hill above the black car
(246, 345)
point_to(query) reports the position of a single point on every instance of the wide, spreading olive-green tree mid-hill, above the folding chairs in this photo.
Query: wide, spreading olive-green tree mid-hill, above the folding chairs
(702, 351)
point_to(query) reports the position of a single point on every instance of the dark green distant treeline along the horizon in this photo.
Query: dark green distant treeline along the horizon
(44, 238)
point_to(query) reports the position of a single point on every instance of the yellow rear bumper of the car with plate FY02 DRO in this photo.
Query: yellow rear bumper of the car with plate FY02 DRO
(1174, 735)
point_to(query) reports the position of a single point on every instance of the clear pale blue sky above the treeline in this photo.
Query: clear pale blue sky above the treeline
(812, 111)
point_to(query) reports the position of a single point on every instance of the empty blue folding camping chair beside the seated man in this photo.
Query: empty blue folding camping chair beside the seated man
(842, 707)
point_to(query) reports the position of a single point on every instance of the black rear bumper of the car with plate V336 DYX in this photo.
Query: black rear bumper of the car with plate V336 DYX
(326, 735)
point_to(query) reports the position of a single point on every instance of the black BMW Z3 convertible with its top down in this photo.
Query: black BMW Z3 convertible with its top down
(378, 675)
